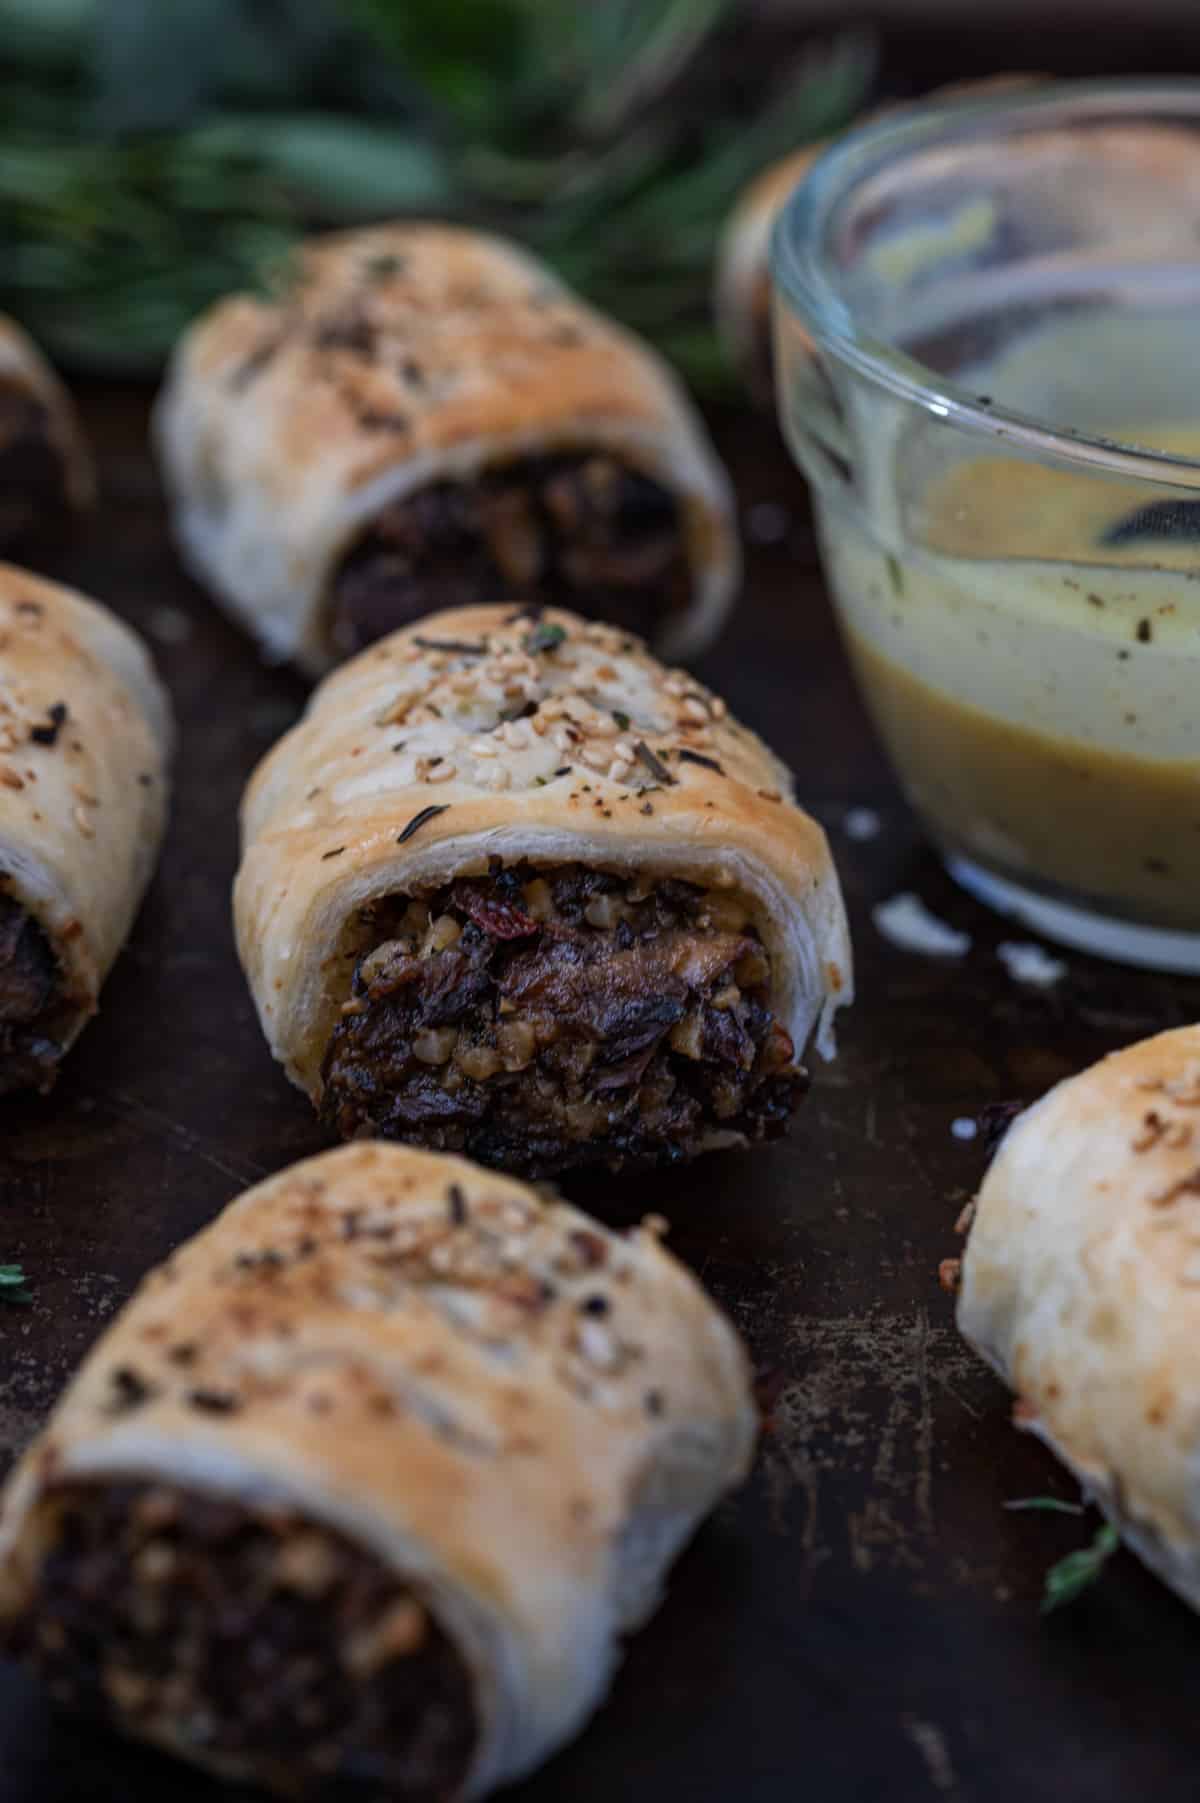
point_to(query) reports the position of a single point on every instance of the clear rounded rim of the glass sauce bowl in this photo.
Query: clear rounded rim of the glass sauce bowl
(805, 286)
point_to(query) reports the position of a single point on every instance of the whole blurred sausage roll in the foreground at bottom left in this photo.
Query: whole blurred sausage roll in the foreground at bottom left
(367, 1483)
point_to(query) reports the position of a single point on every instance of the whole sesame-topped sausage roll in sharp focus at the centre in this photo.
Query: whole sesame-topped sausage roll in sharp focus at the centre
(511, 888)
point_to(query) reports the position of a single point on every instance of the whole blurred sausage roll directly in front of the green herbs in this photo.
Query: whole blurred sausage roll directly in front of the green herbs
(428, 417)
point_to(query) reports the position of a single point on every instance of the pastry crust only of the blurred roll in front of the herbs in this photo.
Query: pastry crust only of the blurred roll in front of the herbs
(399, 358)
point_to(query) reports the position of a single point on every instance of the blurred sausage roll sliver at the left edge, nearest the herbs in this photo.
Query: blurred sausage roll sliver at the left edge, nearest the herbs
(46, 470)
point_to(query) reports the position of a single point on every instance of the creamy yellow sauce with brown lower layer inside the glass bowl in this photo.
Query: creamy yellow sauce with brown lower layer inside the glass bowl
(1039, 690)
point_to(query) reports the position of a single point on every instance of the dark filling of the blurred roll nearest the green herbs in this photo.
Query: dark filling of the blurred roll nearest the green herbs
(583, 531)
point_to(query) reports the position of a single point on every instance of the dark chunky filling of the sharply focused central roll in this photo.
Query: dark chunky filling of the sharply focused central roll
(541, 1020)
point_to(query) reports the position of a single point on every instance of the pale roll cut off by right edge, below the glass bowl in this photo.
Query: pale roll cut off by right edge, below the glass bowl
(1082, 1288)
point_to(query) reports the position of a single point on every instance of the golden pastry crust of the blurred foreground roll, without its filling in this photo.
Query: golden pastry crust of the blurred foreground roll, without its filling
(529, 1460)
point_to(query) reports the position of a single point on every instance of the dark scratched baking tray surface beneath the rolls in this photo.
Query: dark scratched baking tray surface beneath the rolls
(862, 1622)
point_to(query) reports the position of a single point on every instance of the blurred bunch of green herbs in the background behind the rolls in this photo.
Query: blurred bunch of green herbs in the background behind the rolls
(152, 158)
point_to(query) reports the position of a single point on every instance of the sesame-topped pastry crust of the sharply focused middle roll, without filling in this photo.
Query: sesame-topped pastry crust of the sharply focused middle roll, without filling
(408, 728)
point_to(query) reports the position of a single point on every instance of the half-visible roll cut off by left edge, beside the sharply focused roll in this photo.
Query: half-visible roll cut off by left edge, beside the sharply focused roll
(84, 749)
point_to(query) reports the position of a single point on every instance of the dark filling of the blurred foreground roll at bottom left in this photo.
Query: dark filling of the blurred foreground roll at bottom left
(253, 1638)
